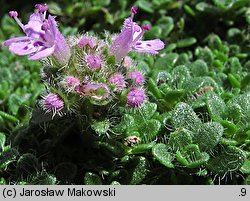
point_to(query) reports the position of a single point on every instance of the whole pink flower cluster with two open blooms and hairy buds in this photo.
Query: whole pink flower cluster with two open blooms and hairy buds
(83, 67)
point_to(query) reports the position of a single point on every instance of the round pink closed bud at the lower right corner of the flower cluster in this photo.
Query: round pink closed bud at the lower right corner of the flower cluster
(136, 97)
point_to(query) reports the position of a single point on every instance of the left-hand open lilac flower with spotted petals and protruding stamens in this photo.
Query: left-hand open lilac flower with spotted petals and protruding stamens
(42, 37)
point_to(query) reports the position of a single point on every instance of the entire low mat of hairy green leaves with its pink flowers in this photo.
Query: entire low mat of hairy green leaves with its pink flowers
(155, 94)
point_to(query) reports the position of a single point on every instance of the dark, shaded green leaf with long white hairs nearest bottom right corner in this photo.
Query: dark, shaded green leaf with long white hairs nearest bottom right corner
(228, 159)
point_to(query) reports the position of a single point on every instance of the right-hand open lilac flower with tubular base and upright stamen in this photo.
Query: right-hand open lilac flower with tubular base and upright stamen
(130, 39)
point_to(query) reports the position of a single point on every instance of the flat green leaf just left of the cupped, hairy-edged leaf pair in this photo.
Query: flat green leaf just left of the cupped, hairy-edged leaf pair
(161, 153)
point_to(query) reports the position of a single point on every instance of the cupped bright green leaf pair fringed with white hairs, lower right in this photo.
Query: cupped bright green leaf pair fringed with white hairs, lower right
(191, 156)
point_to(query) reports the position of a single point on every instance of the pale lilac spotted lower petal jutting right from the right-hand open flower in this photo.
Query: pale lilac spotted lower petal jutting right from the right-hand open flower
(149, 46)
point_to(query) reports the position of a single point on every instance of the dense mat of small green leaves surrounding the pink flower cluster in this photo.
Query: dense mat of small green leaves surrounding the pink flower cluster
(193, 129)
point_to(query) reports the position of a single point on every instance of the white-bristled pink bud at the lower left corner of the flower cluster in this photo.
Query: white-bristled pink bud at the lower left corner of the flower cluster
(52, 103)
